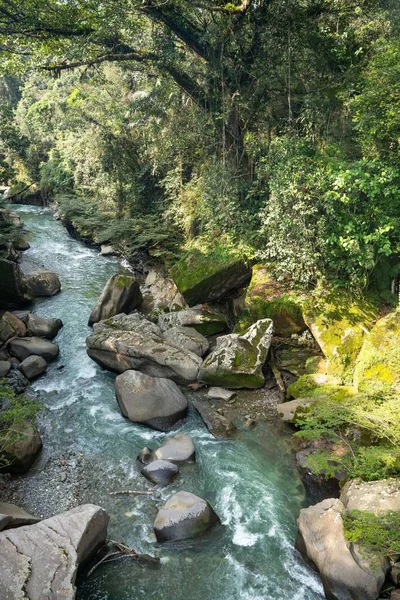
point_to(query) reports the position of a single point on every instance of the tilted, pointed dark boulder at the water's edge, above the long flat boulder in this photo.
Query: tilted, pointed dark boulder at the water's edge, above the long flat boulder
(121, 294)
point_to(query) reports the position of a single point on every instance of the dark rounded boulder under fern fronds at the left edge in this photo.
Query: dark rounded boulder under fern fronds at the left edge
(22, 445)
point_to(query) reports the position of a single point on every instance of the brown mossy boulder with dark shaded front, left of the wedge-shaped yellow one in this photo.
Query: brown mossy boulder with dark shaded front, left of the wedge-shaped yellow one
(268, 299)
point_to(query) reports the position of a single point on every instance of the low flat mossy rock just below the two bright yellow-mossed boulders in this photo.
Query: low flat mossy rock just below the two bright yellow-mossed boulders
(319, 386)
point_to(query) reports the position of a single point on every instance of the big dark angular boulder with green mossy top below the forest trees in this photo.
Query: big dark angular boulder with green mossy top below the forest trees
(209, 272)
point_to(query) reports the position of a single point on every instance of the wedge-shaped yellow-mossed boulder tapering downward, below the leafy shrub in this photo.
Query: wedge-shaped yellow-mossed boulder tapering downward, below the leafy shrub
(340, 326)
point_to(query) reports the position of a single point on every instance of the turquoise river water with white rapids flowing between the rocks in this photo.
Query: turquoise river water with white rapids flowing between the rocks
(251, 482)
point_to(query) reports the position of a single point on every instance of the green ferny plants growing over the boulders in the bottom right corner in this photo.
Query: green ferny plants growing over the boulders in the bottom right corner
(377, 535)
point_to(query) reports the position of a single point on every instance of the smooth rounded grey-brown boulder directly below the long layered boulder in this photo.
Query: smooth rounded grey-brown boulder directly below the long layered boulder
(152, 401)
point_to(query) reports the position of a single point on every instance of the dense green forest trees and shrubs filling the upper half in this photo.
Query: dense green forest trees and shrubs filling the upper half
(276, 124)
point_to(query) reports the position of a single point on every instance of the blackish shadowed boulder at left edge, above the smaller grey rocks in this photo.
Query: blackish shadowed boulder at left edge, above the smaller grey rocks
(14, 290)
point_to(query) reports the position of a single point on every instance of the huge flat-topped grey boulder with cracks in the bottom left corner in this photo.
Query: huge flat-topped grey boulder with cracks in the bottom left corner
(40, 561)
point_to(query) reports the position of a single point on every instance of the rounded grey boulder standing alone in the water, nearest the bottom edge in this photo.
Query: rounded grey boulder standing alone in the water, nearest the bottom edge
(184, 516)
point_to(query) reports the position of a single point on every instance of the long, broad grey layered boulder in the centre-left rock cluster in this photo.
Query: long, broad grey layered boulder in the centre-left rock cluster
(132, 342)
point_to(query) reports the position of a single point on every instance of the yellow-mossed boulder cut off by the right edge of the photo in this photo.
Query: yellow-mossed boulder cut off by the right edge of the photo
(377, 369)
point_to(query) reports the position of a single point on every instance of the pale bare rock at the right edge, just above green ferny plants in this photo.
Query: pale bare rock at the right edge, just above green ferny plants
(371, 496)
